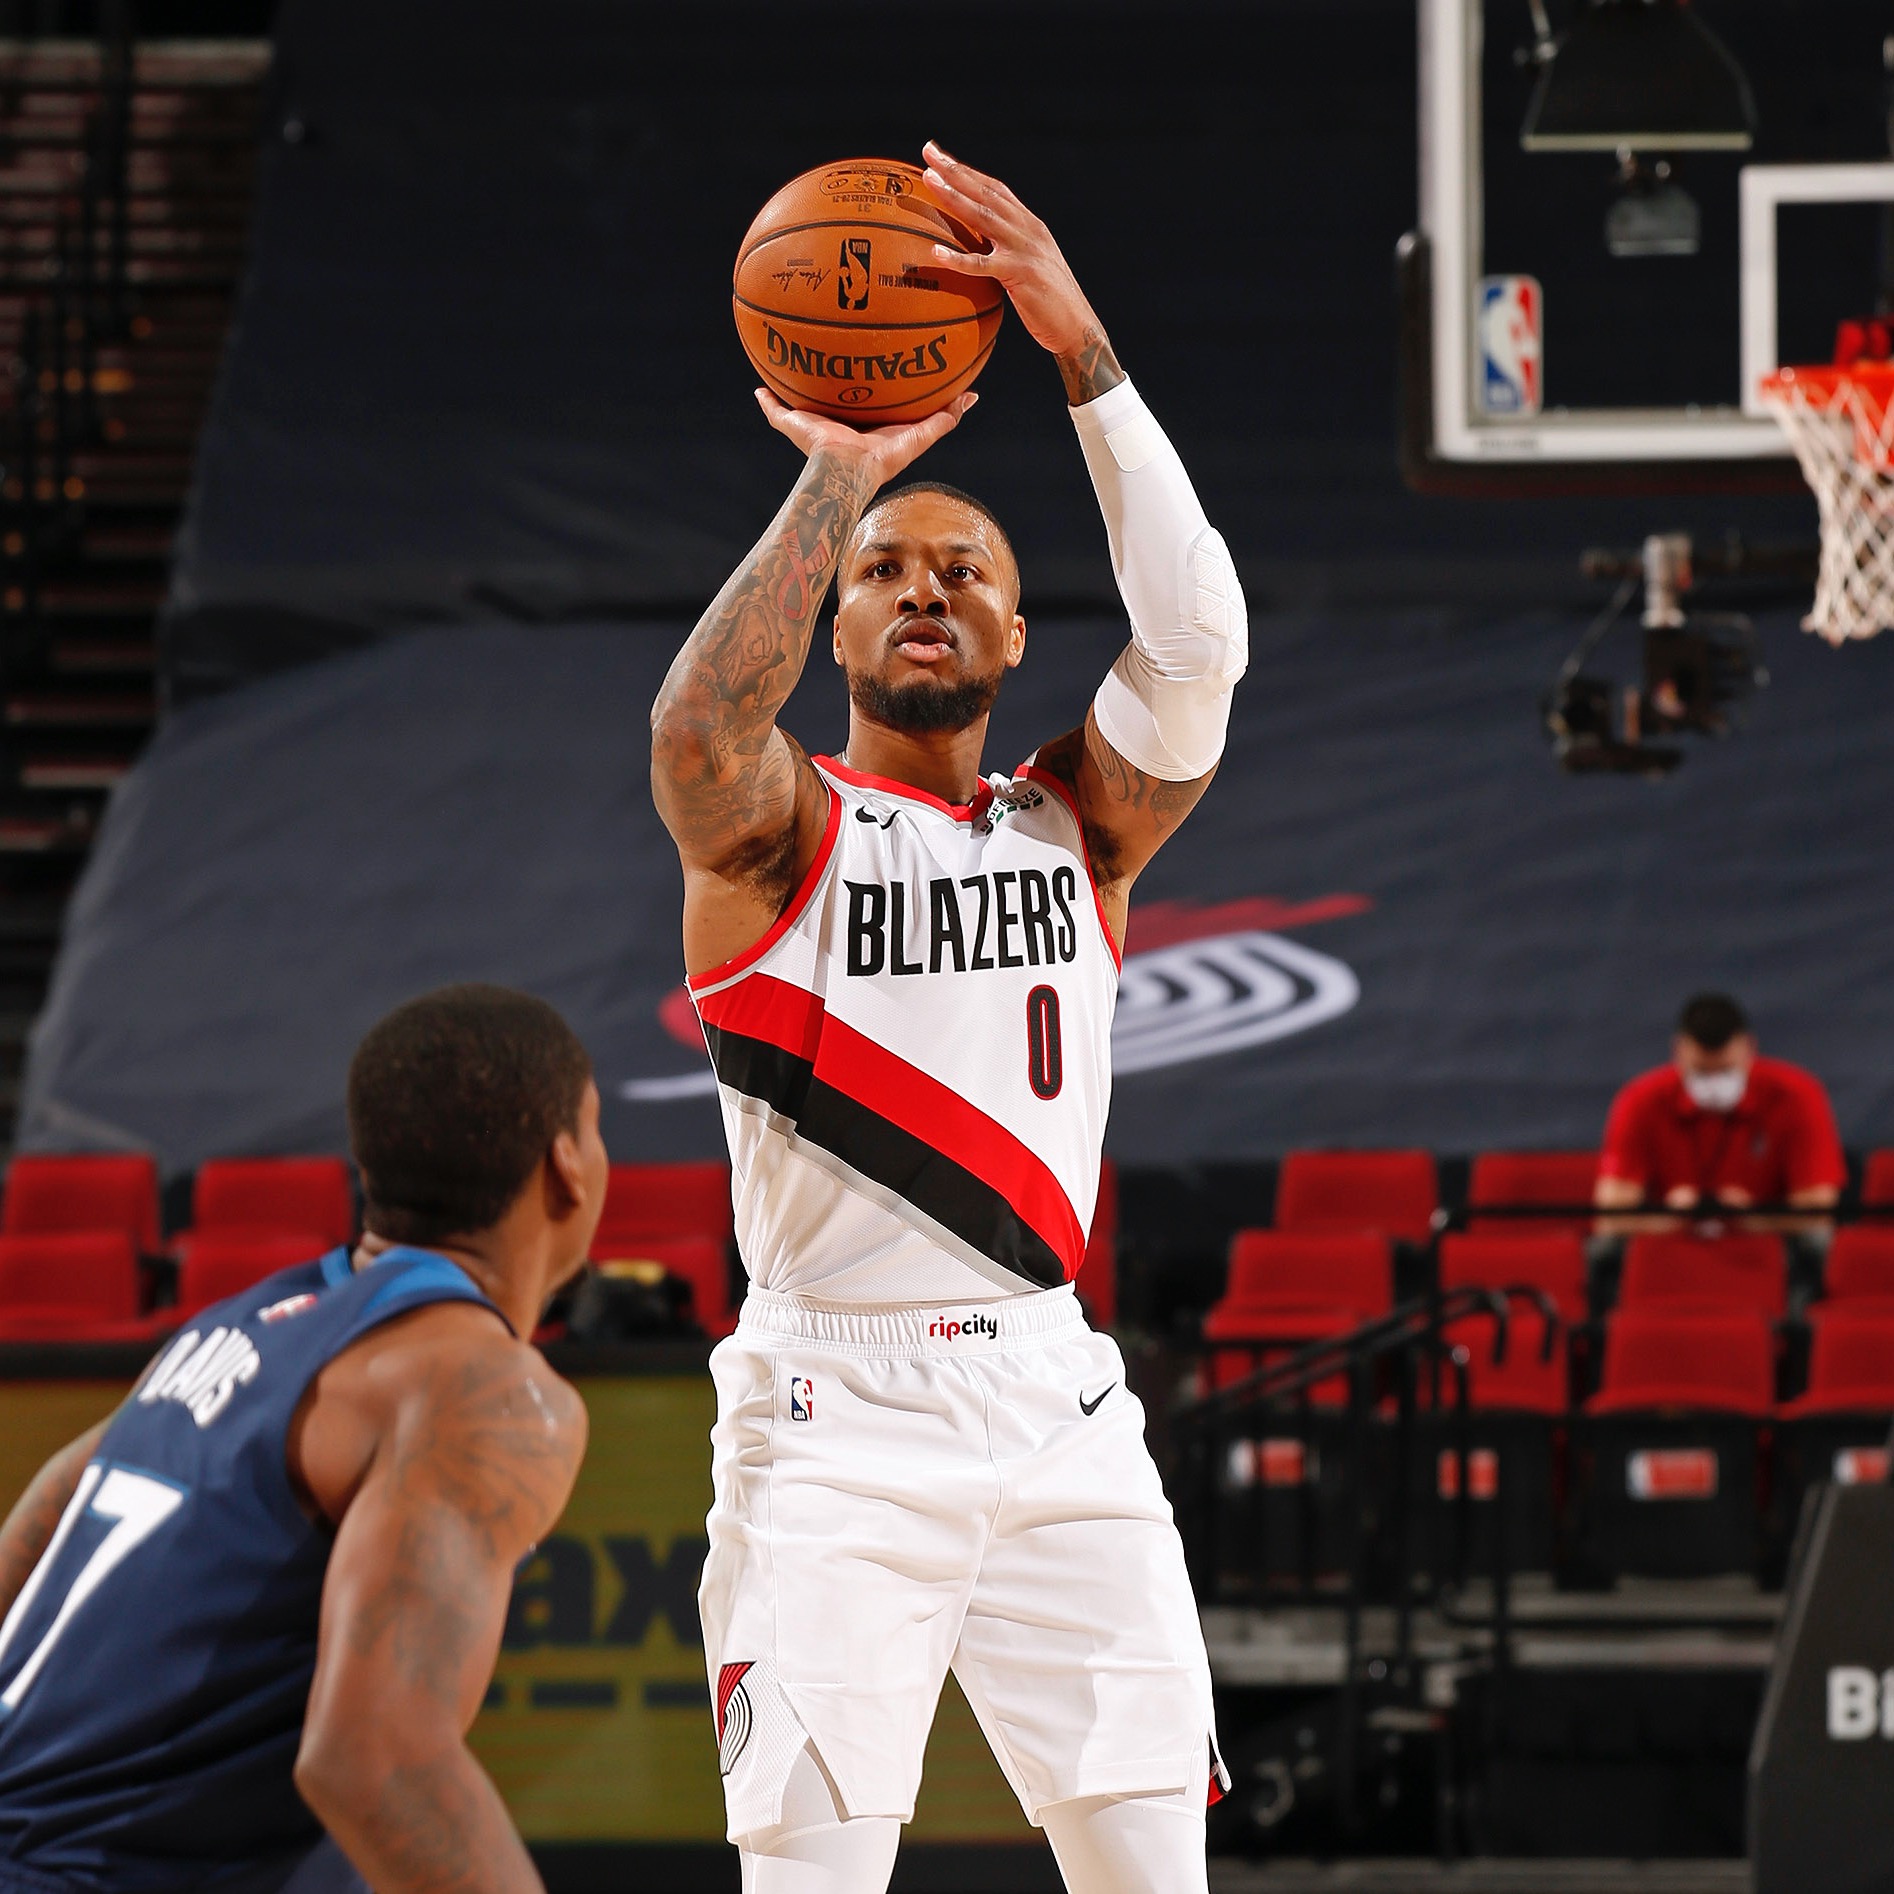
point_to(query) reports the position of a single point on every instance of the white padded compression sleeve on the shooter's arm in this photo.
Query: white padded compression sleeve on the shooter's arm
(1166, 704)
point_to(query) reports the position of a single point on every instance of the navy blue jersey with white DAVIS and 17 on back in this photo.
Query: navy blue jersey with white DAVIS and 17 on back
(156, 1668)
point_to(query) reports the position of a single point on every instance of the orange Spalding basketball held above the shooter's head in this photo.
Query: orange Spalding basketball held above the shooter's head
(842, 306)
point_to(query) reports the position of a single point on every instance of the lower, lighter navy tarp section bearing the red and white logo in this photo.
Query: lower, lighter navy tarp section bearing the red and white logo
(1389, 923)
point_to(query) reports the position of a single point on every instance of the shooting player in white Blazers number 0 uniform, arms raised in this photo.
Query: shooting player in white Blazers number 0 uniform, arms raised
(906, 978)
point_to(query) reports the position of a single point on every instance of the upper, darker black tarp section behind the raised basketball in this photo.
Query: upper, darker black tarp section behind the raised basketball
(486, 365)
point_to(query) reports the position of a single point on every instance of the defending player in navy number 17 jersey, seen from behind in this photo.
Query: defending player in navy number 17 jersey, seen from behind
(315, 1497)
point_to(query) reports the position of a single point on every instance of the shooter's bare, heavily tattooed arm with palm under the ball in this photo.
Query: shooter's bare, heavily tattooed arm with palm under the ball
(742, 798)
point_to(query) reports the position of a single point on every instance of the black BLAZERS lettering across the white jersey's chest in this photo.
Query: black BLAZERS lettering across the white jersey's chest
(1001, 920)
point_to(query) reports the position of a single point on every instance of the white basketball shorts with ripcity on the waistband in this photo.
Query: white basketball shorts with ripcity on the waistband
(908, 1492)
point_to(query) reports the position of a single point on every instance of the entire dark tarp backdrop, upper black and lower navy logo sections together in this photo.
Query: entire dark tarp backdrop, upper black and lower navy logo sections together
(486, 389)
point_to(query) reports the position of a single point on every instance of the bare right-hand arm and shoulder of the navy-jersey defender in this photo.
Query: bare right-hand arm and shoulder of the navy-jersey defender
(444, 1450)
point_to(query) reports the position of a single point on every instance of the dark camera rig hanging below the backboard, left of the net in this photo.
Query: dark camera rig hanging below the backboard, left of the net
(1700, 668)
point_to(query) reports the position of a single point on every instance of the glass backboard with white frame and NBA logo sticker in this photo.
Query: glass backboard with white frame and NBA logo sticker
(1601, 277)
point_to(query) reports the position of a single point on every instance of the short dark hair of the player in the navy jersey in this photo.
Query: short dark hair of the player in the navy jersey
(454, 1101)
